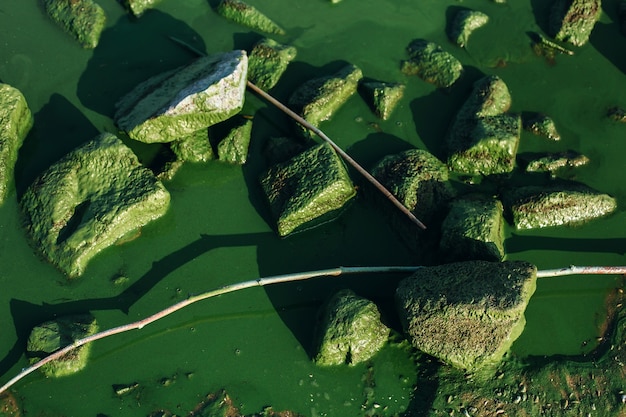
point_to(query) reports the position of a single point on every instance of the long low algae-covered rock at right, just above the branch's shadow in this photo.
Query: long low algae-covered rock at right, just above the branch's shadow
(564, 203)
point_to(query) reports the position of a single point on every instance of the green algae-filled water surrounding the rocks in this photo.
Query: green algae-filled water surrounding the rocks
(256, 344)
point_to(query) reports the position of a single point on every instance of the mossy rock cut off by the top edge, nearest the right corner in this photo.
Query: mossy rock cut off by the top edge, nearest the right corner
(573, 20)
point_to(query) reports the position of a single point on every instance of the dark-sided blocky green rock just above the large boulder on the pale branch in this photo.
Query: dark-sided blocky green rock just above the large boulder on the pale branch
(473, 229)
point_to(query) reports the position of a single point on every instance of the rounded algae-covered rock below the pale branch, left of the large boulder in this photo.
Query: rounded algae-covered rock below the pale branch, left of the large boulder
(351, 331)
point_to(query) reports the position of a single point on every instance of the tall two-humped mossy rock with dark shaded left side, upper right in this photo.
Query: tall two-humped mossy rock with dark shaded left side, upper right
(483, 139)
